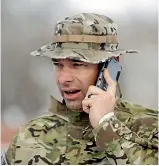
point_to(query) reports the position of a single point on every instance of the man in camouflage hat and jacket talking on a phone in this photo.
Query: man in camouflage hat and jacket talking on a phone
(91, 126)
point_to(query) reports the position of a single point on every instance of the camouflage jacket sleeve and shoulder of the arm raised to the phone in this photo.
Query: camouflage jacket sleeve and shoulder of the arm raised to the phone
(133, 135)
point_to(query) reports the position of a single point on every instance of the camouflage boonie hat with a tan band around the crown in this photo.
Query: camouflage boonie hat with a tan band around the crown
(86, 37)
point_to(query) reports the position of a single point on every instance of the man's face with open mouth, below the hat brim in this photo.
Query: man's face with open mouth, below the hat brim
(73, 79)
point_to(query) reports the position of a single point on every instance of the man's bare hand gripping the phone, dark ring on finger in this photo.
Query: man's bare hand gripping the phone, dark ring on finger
(101, 102)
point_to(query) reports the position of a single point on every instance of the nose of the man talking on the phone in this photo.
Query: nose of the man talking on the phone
(65, 76)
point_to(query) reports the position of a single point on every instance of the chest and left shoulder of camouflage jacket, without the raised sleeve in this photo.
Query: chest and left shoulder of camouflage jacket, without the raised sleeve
(61, 137)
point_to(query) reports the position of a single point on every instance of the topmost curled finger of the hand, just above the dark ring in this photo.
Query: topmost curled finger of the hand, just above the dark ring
(94, 91)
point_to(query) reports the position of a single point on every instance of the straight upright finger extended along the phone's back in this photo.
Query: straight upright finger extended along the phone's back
(111, 83)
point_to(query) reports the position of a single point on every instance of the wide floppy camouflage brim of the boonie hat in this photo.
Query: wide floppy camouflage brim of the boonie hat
(85, 55)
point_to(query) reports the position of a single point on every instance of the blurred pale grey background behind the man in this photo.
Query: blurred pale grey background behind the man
(27, 82)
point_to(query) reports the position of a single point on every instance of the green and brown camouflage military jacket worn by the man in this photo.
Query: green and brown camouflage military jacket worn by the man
(66, 137)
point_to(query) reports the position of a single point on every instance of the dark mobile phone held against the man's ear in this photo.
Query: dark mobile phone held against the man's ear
(114, 69)
